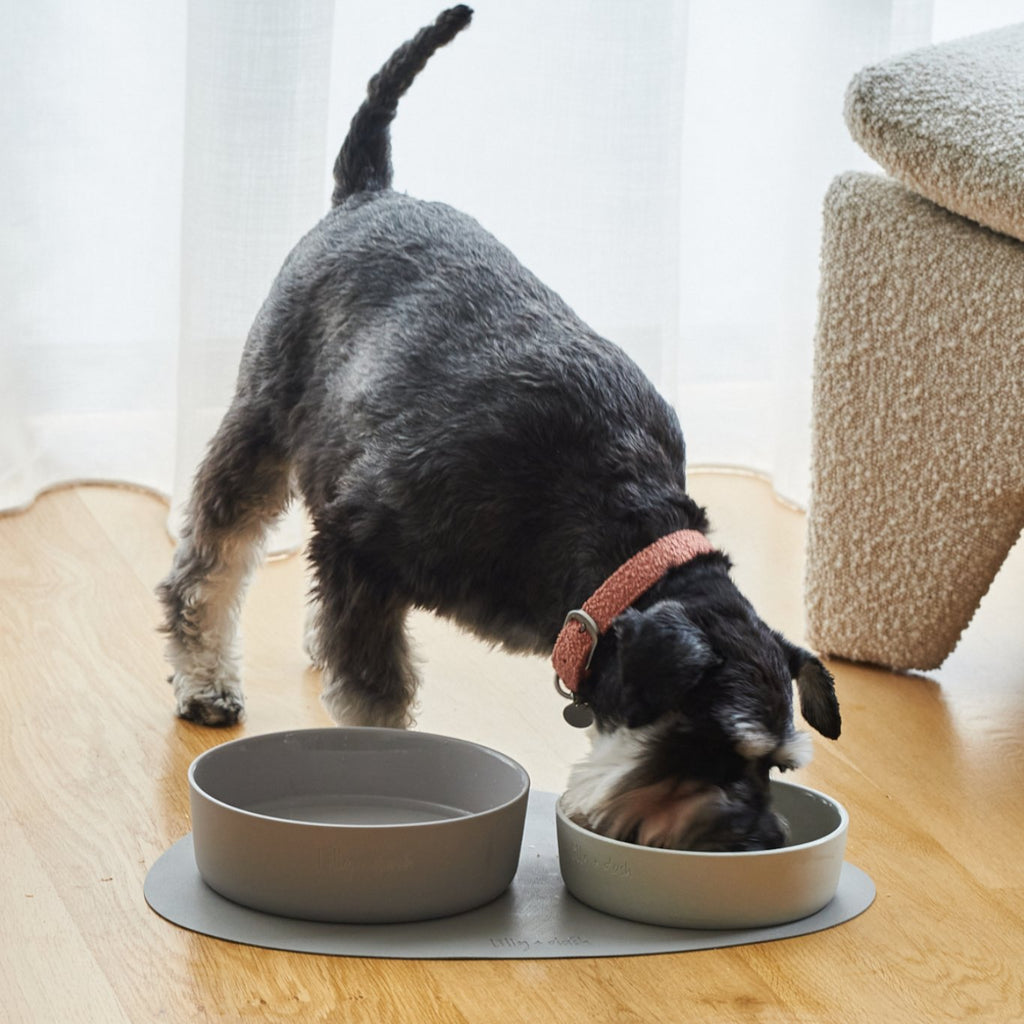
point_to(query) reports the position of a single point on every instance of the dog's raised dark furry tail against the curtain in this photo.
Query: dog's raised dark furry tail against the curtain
(365, 161)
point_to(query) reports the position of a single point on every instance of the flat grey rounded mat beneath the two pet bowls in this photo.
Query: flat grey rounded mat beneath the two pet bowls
(536, 918)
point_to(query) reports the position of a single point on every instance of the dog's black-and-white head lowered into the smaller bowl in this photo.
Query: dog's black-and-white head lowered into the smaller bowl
(694, 707)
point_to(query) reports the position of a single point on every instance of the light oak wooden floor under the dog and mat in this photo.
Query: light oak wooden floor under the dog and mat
(93, 764)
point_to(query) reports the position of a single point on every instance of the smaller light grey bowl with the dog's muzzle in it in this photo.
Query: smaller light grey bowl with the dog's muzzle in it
(686, 889)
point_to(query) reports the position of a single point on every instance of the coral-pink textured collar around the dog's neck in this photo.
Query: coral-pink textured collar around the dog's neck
(578, 639)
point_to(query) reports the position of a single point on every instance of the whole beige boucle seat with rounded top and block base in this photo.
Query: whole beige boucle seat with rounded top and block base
(918, 477)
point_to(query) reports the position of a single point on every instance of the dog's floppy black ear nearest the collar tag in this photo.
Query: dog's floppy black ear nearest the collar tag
(661, 654)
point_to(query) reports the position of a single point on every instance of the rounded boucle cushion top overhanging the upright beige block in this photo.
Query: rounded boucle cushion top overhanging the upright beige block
(949, 122)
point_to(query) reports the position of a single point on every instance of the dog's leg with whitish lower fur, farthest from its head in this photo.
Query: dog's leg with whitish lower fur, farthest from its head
(241, 489)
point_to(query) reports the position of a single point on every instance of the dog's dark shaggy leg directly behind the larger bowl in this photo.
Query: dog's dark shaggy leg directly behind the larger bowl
(361, 644)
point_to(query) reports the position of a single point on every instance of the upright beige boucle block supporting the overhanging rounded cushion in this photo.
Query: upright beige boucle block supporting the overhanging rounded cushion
(918, 482)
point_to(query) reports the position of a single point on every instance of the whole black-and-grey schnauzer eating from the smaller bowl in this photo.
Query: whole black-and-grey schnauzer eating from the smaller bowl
(465, 444)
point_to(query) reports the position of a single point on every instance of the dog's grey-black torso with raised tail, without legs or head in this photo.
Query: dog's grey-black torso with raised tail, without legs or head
(451, 409)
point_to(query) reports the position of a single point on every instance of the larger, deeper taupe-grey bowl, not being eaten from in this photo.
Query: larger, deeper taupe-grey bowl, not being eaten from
(358, 826)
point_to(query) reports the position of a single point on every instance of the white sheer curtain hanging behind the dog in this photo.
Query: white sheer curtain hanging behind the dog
(660, 163)
